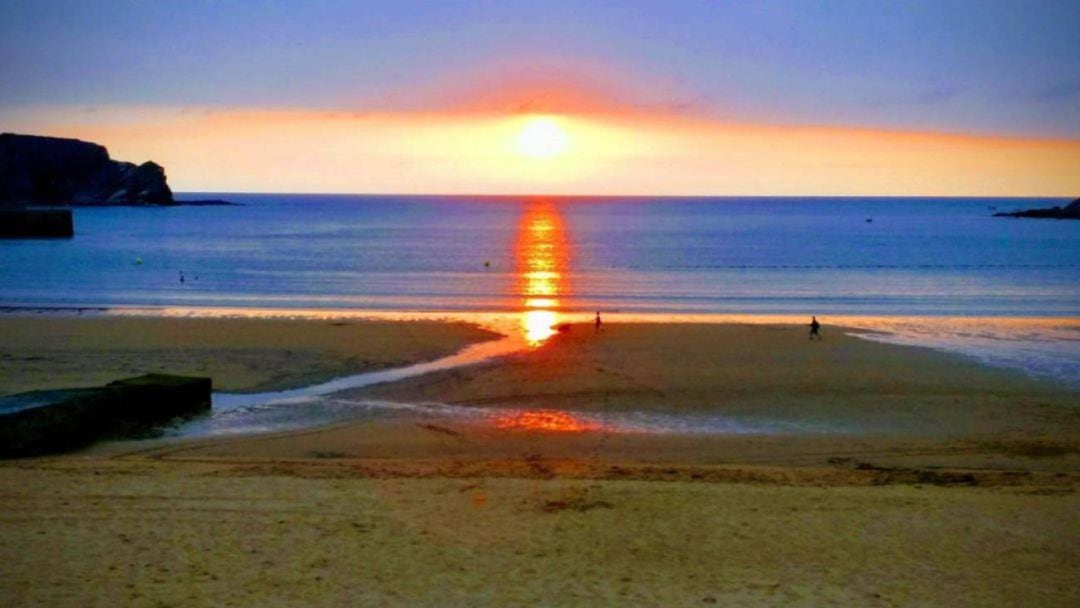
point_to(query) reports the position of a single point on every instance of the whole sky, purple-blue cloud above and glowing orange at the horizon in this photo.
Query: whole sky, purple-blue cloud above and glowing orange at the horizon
(646, 98)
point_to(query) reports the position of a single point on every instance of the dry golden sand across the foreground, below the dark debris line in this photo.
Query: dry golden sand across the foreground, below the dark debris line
(139, 533)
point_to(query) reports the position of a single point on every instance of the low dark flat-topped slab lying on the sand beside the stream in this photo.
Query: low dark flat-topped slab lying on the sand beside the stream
(49, 422)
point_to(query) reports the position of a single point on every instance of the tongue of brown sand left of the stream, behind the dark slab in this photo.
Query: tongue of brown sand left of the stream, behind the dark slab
(241, 355)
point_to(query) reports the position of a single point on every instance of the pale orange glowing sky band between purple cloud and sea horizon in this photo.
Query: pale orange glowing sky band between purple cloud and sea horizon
(619, 152)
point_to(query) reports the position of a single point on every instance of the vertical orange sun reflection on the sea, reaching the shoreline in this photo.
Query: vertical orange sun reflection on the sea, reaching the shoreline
(542, 260)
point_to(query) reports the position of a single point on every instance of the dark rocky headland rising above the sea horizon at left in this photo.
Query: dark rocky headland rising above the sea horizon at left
(53, 171)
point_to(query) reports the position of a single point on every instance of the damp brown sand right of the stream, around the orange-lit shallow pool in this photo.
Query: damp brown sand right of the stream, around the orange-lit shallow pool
(847, 401)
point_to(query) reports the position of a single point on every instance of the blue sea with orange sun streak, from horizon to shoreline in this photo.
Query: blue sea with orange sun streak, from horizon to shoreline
(930, 272)
